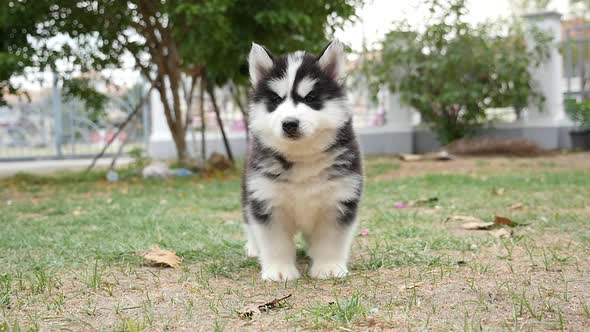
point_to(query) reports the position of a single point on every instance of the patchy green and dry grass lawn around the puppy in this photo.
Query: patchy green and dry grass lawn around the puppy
(69, 253)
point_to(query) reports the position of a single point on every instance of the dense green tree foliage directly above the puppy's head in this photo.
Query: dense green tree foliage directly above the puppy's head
(232, 26)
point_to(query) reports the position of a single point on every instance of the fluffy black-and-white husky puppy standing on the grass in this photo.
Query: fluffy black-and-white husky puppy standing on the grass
(303, 169)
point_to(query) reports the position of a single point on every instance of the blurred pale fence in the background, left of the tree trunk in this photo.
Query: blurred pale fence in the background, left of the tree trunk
(47, 128)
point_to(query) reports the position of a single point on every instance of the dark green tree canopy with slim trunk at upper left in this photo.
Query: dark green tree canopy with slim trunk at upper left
(174, 43)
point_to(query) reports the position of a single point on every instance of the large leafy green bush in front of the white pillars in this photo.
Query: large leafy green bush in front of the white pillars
(453, 71)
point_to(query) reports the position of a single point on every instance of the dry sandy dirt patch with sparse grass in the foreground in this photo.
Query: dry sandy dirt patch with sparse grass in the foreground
(522, 285)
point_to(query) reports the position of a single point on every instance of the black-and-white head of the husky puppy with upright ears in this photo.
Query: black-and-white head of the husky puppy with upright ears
(298, 102)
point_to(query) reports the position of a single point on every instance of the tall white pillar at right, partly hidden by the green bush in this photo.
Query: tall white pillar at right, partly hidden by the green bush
(548, 76)
